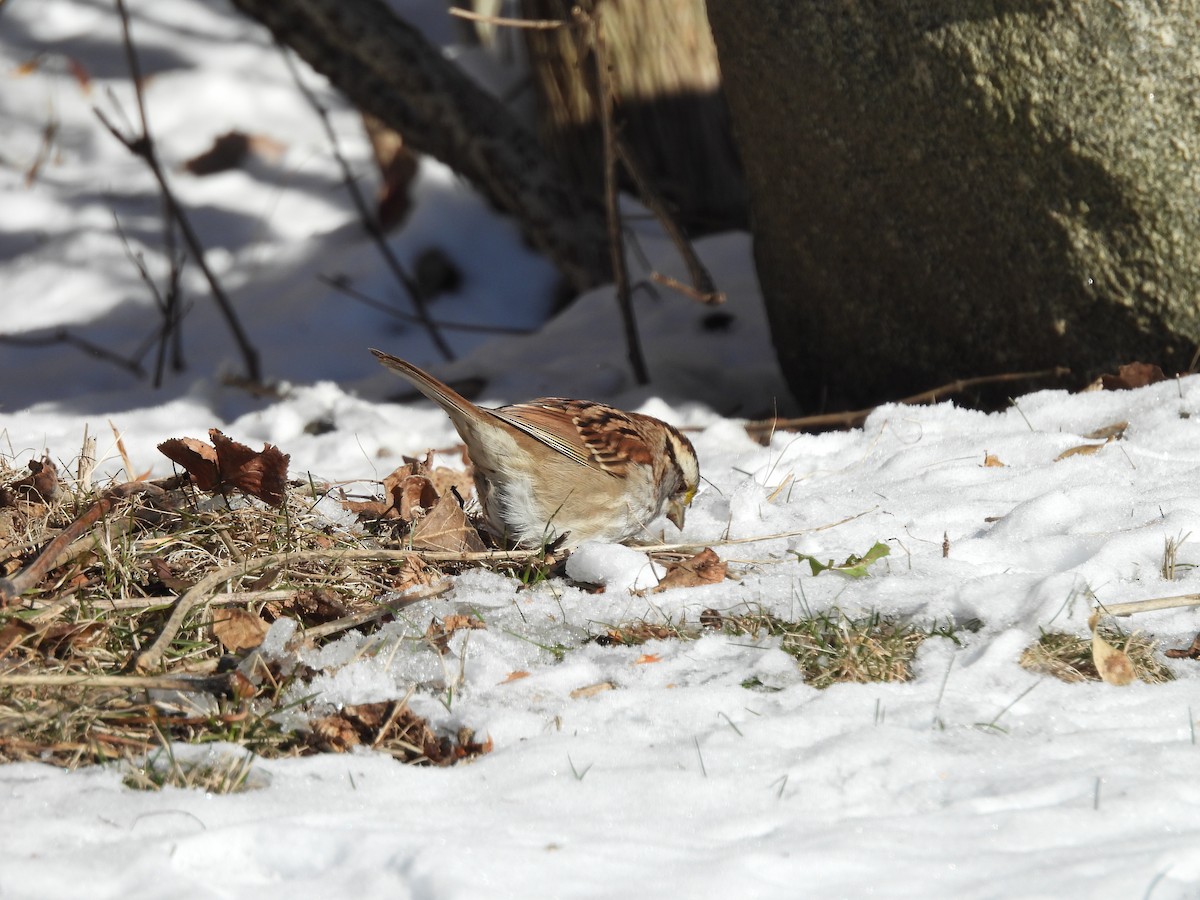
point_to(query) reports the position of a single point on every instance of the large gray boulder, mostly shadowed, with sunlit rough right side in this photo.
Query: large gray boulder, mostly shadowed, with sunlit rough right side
(955, 188)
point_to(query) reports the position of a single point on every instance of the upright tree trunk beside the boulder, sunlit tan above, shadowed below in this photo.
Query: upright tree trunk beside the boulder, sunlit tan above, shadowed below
(670, 107)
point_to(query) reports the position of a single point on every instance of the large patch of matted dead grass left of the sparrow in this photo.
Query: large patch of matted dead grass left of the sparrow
(68, 643)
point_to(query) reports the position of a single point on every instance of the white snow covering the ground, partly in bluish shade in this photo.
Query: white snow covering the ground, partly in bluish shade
(617, 771)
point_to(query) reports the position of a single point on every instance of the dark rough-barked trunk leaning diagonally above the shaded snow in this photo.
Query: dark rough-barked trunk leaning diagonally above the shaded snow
(387, 69)
